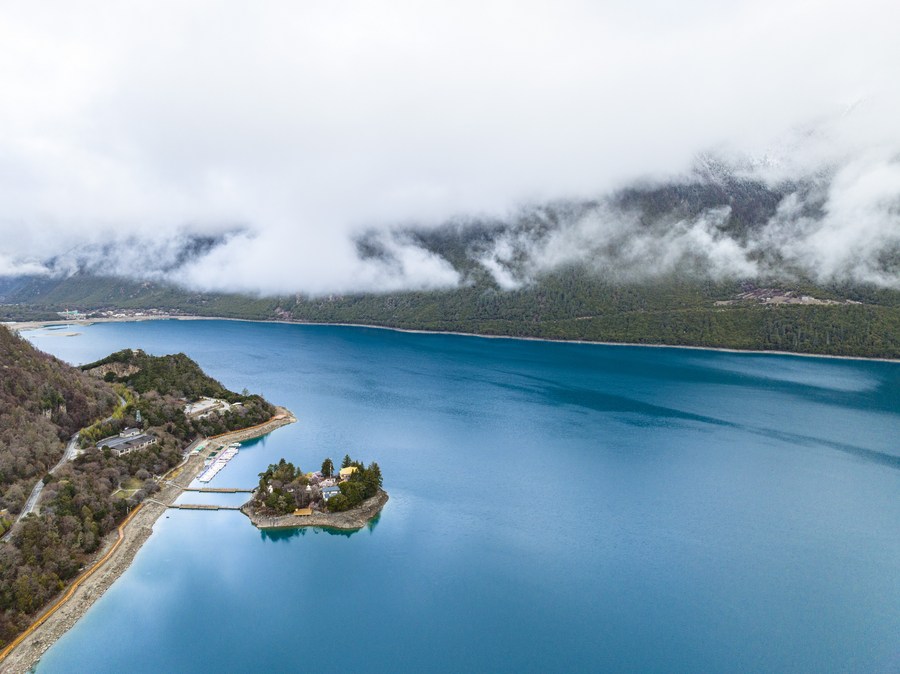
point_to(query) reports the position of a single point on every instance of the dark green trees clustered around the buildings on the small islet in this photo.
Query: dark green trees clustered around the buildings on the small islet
(283, 487)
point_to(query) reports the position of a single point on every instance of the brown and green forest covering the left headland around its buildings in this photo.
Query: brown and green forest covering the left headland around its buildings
(44, 402)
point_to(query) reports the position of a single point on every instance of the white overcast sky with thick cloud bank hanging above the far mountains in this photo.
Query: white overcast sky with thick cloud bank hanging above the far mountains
(303, 123)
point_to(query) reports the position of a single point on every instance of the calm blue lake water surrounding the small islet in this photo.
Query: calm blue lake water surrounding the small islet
(553, 507)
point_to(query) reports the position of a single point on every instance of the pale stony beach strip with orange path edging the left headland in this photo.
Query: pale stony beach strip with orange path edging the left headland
(116, 556)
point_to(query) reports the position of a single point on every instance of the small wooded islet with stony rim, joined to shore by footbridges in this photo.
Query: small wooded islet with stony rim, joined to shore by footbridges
(344, 499)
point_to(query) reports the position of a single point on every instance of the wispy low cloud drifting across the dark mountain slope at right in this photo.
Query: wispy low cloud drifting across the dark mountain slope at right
(843, 226)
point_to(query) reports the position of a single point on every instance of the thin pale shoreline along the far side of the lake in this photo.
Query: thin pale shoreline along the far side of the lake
(19, 326)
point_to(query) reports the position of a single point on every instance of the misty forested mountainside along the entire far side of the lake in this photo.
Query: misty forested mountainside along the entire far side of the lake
(673, 291)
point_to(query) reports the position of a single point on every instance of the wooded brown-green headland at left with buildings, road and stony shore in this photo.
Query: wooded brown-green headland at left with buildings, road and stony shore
(90, 457)
